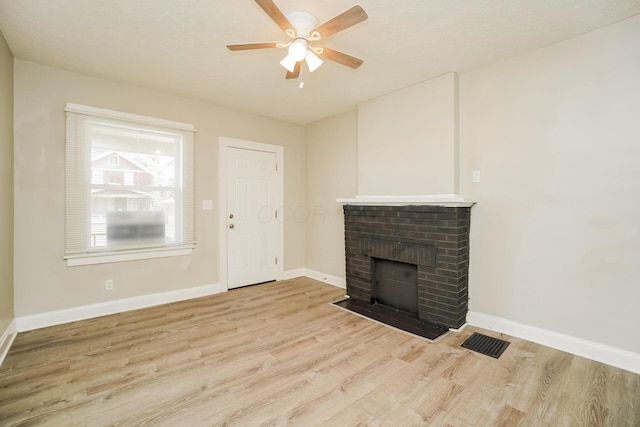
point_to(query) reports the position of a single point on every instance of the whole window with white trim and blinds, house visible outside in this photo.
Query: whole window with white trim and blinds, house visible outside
(129, 187)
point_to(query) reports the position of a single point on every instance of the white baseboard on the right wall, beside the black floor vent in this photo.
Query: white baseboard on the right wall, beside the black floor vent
(591, 350)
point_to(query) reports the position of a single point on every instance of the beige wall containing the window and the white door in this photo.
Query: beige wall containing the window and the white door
(43, 282)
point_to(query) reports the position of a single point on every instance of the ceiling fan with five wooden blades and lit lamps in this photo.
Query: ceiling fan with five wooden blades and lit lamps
(303, 31)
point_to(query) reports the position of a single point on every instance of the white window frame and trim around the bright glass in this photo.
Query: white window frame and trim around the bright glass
(78, 209)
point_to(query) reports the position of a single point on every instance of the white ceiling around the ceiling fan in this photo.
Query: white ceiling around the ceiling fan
(179, 45)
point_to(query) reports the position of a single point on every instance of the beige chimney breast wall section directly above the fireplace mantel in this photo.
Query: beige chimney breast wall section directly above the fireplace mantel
(408, 140)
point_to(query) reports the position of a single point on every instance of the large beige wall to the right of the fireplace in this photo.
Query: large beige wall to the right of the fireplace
(555, 236)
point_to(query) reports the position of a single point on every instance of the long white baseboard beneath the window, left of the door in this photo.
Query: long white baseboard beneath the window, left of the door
(42, 320)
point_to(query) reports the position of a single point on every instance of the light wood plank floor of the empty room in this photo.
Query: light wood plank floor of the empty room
(279, 354)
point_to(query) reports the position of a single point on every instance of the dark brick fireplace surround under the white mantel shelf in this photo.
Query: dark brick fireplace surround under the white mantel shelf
(435, 239)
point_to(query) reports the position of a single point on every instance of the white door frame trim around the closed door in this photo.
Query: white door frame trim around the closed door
(224, 144)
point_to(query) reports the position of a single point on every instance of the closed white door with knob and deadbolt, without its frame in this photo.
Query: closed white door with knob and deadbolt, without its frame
(251, 217)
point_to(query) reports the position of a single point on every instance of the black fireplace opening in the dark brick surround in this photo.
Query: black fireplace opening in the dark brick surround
(395, 285)
